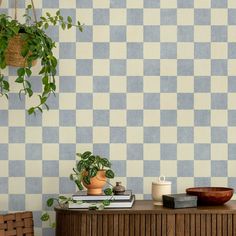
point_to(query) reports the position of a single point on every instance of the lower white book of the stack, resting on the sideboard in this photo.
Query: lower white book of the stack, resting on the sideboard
(113, 204)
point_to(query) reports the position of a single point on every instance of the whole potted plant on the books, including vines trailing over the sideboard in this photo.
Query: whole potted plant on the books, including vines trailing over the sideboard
(90, 172)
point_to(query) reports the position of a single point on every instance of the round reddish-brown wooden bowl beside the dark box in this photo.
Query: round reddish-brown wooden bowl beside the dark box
(211, 195)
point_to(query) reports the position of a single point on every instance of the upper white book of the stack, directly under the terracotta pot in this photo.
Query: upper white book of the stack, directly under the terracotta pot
(82, 196)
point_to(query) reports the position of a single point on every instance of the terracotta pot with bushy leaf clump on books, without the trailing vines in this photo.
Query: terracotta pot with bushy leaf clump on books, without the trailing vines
(92, 172)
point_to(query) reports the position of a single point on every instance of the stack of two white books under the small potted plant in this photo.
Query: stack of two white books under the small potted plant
(84, 201)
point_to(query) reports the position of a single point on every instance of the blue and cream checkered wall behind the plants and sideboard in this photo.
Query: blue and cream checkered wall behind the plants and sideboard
(149, 83)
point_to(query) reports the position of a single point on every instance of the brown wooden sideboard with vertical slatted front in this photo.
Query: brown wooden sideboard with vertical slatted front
(145, 219)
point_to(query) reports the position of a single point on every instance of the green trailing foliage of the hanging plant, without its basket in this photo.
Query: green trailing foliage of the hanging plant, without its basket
(37, 45)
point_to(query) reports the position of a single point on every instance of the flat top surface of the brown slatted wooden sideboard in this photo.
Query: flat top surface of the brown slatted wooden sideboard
(147, 207)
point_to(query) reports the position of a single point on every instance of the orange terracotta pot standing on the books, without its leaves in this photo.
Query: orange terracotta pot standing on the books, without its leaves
(96, 183)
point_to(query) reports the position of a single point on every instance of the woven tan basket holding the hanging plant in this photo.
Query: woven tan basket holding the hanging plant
(13, 52)
